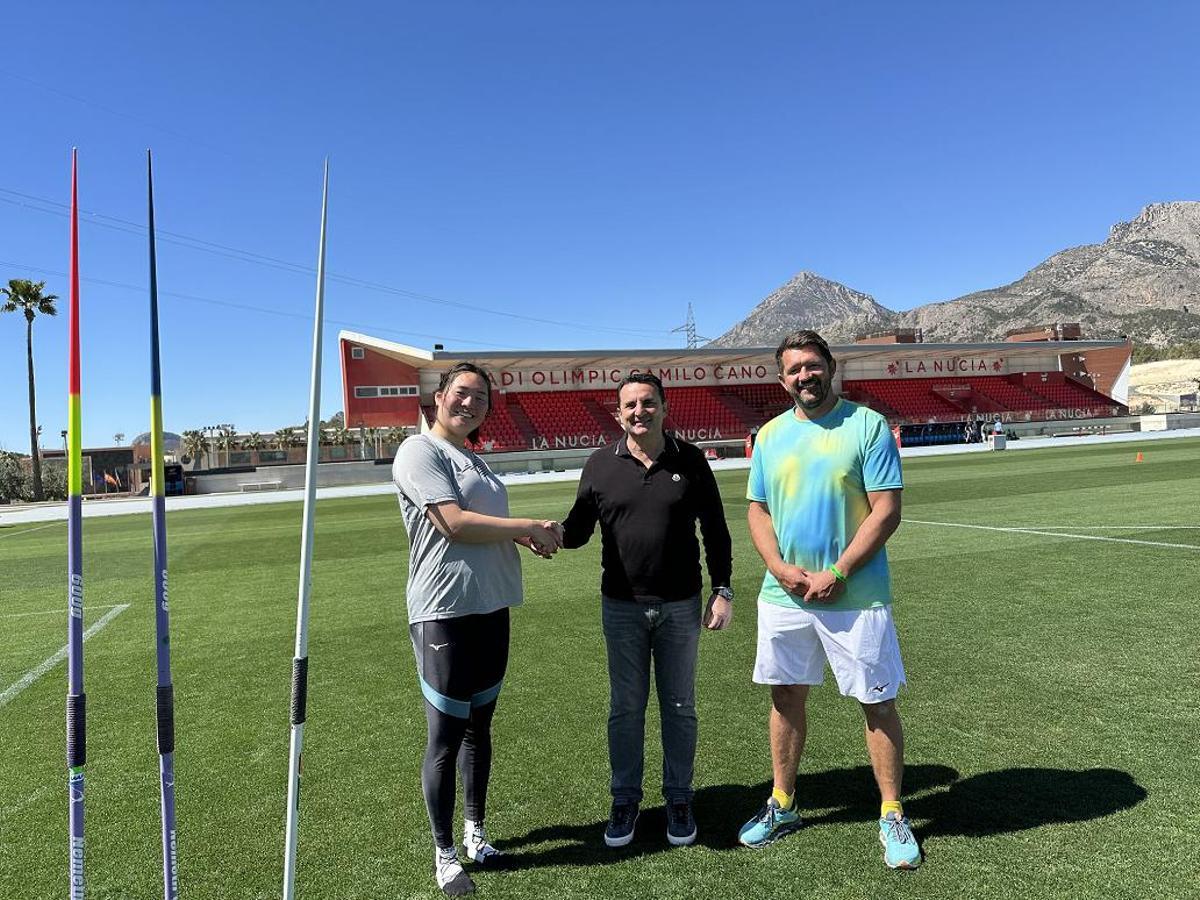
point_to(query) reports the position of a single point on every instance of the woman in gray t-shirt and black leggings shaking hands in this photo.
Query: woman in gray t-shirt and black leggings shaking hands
(464, 575)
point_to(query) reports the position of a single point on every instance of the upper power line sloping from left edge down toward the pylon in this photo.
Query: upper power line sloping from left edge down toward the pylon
(206, 247)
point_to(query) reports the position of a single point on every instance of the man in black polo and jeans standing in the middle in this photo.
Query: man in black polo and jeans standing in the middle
(649, 493)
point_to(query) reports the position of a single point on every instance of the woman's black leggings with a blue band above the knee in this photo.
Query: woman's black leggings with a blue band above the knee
(461, 664)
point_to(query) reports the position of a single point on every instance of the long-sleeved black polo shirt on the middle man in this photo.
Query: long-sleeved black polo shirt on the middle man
(649, 520)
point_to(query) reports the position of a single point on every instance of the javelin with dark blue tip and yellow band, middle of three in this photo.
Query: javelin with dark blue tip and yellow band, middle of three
(166, 691)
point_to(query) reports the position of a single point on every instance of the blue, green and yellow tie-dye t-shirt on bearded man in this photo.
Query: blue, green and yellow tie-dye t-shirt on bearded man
(814, 478)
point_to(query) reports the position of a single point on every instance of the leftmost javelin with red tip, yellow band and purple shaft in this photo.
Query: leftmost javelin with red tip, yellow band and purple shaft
(77, 752)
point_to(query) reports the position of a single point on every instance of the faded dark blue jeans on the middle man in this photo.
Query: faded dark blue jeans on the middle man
(637, 633)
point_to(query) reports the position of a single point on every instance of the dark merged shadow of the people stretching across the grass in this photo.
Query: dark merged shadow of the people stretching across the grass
(986, 805)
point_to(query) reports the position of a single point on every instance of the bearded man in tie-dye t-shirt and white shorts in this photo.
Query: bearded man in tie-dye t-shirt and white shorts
(825, 497)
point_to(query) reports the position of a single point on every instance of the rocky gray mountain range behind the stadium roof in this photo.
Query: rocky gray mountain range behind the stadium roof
(1144, 281)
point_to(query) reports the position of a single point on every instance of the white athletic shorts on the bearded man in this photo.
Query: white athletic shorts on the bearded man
(860, 646)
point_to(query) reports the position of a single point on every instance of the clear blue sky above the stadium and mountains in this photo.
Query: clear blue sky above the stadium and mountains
(596, 166)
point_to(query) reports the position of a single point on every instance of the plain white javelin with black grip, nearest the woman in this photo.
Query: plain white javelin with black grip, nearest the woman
(301, 662)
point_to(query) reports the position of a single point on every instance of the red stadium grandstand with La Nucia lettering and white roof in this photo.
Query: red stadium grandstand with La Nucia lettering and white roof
(559, 400)
